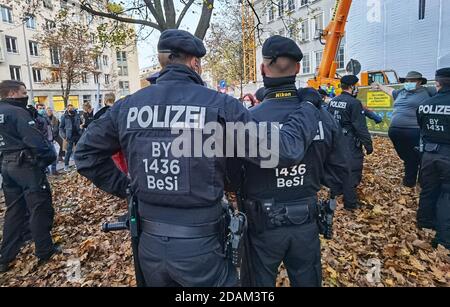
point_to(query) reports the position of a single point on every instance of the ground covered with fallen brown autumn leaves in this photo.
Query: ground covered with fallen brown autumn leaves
(377, 245)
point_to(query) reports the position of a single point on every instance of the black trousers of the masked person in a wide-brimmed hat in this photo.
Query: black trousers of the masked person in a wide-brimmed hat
(405, 141)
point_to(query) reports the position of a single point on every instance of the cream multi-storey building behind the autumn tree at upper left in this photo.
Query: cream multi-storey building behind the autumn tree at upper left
(21, 58)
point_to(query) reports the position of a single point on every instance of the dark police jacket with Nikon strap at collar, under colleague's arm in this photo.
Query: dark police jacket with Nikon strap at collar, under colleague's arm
(324, 162)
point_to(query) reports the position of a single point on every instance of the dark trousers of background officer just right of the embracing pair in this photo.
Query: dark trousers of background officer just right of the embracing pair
(356, 161)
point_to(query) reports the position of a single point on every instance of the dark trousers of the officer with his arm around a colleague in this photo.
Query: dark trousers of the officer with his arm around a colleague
(172, 262)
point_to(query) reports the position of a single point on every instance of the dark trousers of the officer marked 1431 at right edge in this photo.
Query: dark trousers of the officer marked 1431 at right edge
(434, 205)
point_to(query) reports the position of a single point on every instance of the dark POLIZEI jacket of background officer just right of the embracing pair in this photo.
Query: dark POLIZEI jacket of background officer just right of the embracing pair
(350, 114)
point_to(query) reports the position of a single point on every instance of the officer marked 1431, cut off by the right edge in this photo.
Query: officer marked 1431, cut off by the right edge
(433, 116)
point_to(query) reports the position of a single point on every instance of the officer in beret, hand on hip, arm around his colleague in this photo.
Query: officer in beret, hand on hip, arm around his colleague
(179, 197)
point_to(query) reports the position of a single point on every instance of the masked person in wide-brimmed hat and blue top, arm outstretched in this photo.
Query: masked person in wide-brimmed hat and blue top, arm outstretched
(404, 130)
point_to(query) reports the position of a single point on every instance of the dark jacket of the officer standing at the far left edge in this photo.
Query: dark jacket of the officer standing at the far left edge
(18, 132)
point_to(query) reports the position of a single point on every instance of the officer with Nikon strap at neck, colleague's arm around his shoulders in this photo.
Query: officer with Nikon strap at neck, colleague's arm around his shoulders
(281, 204)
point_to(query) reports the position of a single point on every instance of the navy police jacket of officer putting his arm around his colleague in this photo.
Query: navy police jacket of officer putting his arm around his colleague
(141, 125)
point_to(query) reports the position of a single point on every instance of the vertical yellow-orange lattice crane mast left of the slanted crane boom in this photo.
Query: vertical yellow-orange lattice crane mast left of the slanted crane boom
(248, 42)
